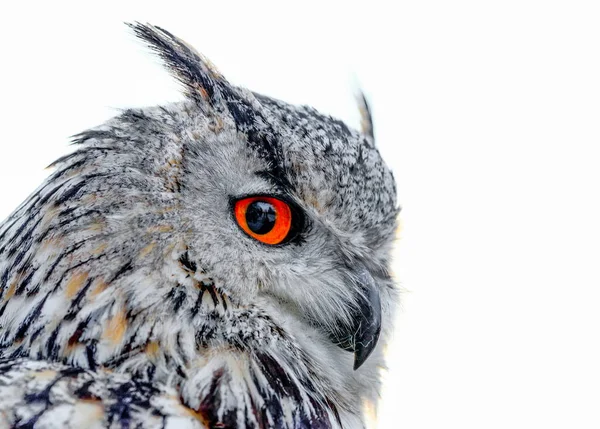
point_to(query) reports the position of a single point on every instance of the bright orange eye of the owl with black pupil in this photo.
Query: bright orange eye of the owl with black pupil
(267, 219)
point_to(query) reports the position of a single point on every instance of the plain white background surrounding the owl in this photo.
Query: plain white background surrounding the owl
(488, 112)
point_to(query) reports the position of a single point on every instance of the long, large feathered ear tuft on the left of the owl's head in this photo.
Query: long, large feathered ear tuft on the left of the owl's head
(201, 80)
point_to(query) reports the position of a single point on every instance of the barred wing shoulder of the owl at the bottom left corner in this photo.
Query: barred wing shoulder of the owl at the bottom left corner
(54, 395)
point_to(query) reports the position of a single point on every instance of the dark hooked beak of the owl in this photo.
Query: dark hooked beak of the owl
(361, 337)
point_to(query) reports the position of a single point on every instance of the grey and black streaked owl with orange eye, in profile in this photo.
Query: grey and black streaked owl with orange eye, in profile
(219, 262)
